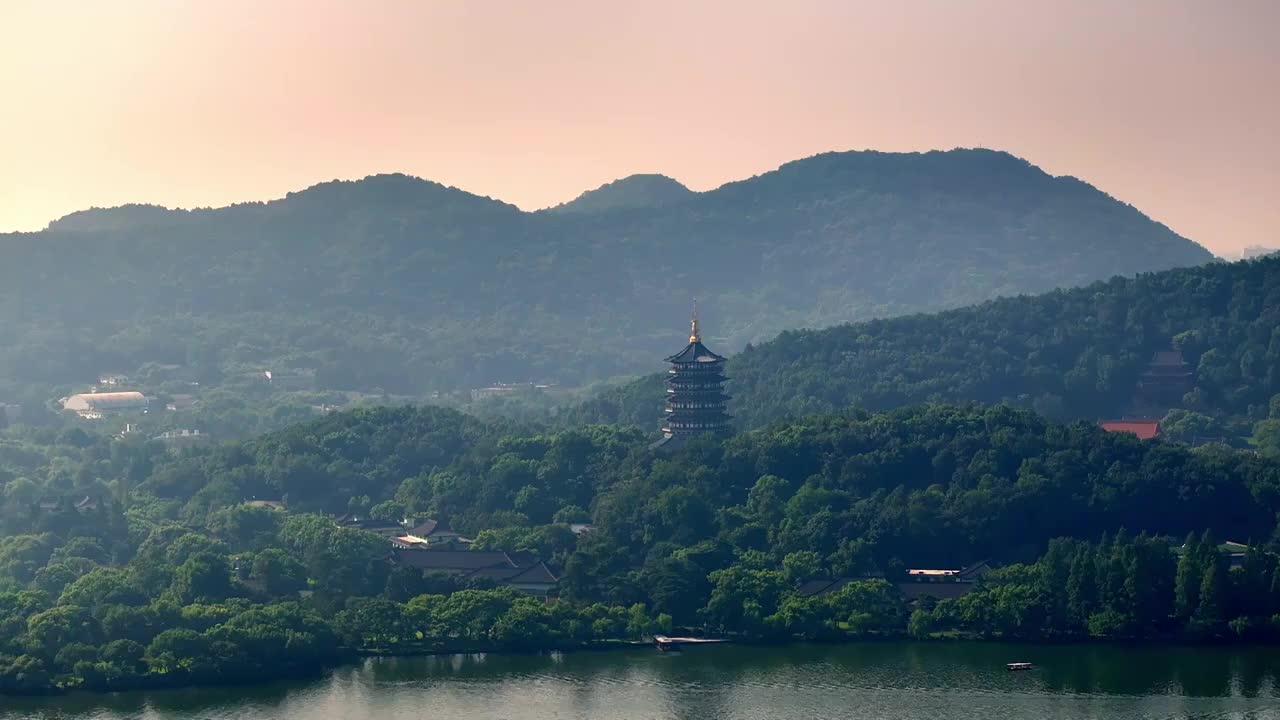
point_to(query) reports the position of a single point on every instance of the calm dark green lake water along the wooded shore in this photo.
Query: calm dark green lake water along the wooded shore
(808, 682)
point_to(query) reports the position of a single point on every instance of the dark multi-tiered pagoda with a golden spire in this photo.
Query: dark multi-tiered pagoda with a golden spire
(696, 393)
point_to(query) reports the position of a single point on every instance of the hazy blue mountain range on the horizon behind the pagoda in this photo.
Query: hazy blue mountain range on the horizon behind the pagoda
(408, 286)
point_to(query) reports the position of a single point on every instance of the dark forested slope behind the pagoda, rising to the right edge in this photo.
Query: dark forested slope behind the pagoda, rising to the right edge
(1069, 354)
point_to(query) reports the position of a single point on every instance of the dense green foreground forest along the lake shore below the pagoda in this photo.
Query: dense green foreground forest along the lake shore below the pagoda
(176, 577)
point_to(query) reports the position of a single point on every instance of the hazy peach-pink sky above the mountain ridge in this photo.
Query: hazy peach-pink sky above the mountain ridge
(1171, 106)
